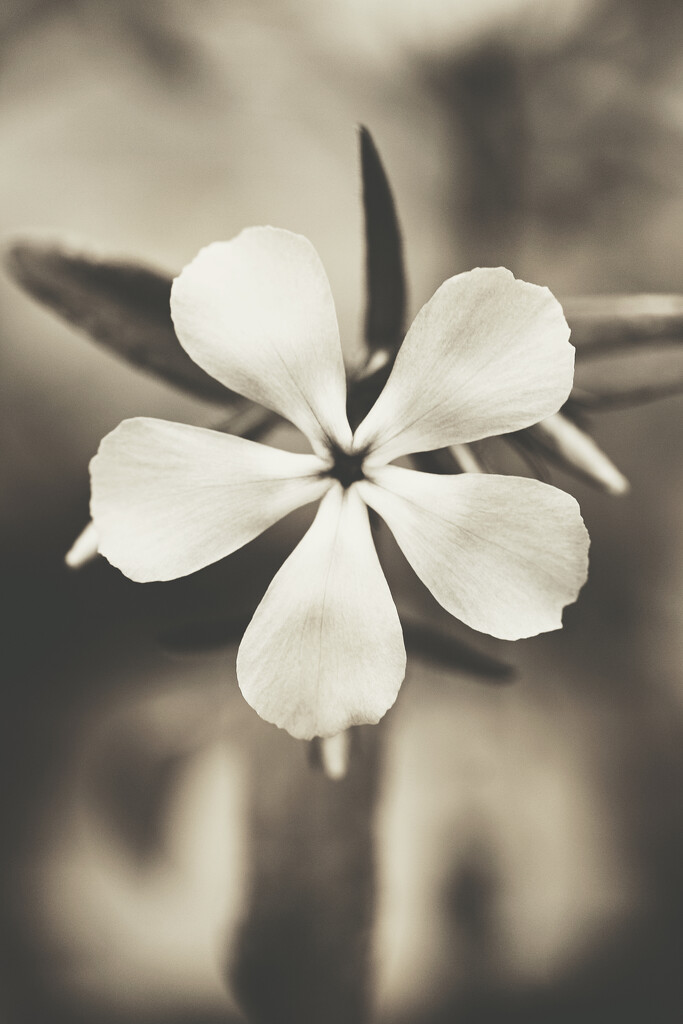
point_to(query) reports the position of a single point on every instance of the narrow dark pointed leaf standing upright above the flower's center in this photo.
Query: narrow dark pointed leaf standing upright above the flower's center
(386, 313)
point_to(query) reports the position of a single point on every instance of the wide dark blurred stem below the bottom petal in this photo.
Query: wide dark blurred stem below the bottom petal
(304, 950)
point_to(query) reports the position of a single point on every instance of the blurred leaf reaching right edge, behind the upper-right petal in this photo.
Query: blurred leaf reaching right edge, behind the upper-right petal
(613, 323)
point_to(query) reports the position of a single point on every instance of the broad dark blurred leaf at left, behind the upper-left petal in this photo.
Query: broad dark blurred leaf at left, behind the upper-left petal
(122, 306)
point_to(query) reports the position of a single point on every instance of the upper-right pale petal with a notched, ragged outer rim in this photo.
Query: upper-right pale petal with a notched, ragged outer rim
(486, 356)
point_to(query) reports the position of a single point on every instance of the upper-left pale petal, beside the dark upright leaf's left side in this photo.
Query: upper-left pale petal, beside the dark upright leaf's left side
(258, 314)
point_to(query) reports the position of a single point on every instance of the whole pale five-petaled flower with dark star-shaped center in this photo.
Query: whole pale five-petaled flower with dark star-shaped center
(488, 355)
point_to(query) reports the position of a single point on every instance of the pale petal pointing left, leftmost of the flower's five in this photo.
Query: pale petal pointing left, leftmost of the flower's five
(169, 499)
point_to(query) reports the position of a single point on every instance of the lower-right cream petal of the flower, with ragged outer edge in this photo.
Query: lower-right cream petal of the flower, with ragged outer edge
(504, 554)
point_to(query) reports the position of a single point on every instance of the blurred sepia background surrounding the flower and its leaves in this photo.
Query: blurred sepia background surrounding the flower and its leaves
(513, 852)
